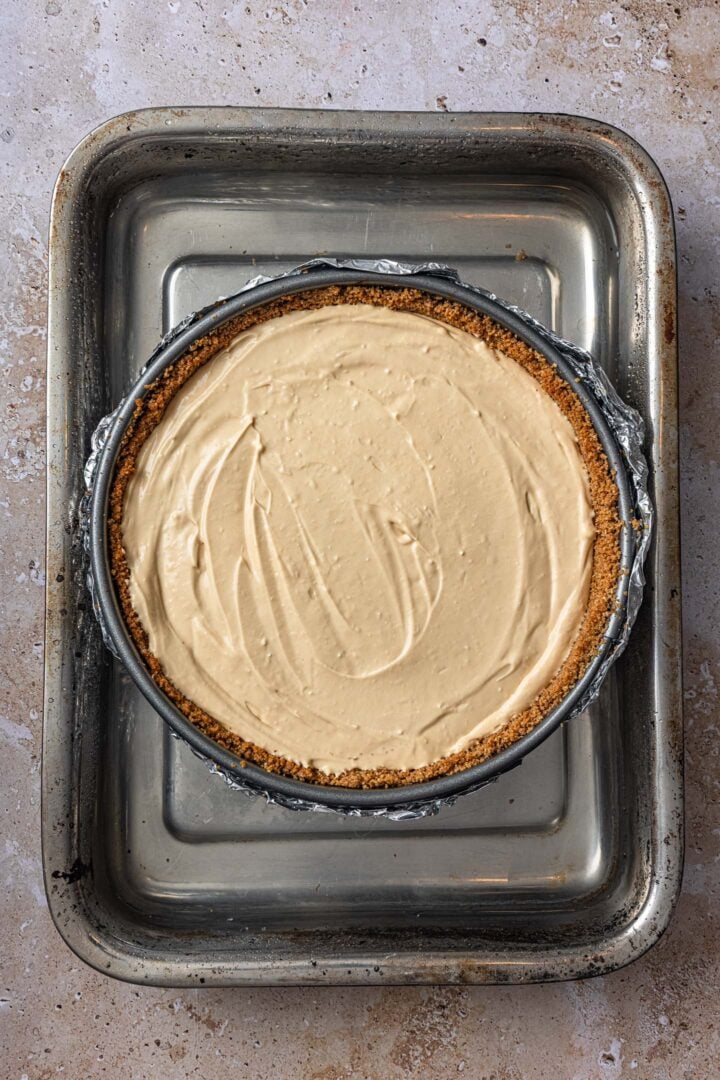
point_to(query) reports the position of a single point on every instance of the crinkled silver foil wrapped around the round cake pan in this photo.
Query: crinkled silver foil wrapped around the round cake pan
(626, 423)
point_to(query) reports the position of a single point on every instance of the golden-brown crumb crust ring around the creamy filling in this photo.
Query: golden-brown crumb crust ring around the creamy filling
(604, 493)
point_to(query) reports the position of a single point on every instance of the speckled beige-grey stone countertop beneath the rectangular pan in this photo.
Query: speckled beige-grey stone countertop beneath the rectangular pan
(650, 67)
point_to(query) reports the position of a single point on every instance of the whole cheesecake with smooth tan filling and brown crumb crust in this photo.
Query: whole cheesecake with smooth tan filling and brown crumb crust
(364, 536)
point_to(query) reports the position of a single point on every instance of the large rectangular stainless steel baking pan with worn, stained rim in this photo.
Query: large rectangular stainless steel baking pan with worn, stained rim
(158, 873)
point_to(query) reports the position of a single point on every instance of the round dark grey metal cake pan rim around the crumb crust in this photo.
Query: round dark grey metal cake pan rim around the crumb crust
(283, 790)
